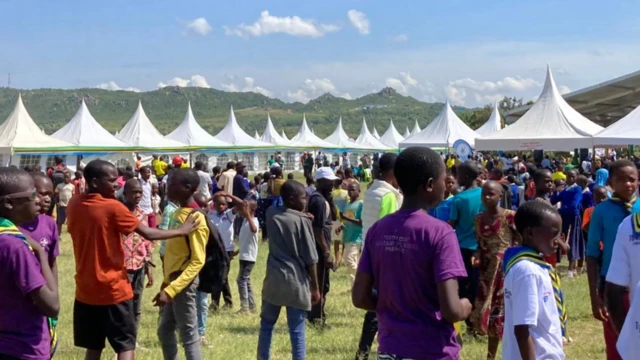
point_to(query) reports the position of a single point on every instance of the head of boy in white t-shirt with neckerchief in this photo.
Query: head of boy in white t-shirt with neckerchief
(540, 226)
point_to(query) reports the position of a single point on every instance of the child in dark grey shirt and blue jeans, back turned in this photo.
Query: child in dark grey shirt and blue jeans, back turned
(291, 280)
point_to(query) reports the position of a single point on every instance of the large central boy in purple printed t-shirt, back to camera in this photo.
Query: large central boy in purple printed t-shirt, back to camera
(416, 259)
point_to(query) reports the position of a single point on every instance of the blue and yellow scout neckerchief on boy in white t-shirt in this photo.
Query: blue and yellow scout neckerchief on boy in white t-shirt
(515, 254)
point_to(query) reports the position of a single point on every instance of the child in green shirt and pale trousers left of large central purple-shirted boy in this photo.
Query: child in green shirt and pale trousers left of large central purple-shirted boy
(352, 230)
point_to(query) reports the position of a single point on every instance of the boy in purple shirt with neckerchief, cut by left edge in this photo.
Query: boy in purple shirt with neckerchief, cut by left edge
(29, 290)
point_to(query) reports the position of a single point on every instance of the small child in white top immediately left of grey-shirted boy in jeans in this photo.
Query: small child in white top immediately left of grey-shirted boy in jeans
(248, 254)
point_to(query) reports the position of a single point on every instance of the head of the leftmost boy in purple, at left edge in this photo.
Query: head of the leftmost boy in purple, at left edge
(19, 200)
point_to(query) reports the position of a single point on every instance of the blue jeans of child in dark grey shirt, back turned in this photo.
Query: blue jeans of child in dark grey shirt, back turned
(295, 319)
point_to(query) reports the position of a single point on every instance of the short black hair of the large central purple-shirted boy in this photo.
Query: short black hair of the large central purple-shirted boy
(415, 166)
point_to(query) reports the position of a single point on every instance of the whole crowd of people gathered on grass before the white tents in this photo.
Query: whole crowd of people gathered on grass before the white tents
(434, 243)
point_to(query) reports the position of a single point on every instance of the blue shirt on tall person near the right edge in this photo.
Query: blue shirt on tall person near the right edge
(605, 220)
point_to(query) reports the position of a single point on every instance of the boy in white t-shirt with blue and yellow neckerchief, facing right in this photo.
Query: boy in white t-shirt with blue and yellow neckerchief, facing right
(534, 304)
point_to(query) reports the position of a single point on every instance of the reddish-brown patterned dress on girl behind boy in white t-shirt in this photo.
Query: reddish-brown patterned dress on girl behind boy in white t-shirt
(493, 240)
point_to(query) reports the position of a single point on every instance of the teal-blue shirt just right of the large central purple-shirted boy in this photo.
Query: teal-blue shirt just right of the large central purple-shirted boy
(464, 209)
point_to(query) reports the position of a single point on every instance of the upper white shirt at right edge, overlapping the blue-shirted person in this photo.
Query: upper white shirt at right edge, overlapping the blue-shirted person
(624, 269)
